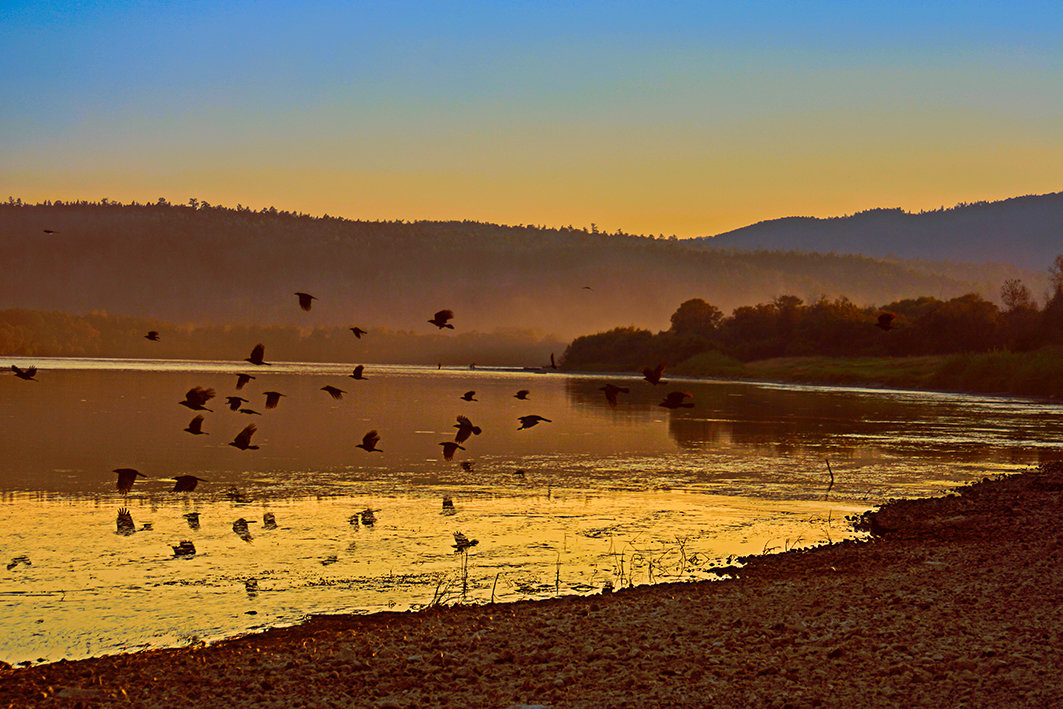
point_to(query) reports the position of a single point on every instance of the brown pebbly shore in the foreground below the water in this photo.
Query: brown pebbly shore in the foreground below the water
(957, 601)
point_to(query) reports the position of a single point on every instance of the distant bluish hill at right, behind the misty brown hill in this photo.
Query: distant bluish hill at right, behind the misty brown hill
(1024, 231)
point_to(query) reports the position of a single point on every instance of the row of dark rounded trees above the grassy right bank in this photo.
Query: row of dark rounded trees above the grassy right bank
(787, 327)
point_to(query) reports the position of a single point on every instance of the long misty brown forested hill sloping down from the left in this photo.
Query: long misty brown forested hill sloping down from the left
(208, 265)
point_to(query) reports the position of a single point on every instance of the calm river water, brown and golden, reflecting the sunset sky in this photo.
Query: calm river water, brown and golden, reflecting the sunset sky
(635, 494)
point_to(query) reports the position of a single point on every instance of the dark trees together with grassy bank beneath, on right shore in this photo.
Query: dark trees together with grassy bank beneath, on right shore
(966, 344)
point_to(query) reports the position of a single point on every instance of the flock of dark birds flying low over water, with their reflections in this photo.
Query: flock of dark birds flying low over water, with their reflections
(197, 398)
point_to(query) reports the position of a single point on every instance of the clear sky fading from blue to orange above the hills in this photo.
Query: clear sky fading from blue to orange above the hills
(686, 119)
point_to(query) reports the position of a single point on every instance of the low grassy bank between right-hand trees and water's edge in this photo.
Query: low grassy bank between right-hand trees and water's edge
(1038, 374)
